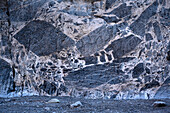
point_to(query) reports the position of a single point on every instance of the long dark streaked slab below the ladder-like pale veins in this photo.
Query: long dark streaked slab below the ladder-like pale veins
(97, 75)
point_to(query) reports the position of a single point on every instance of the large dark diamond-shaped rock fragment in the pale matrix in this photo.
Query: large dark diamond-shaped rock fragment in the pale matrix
(43, 38)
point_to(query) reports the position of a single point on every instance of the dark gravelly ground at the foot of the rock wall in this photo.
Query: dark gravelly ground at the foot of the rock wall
(43, 104)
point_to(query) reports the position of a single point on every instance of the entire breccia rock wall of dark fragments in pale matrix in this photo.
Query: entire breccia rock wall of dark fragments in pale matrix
(115, 49)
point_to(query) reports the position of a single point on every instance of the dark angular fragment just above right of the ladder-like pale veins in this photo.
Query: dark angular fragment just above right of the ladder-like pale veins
(123, 46)
